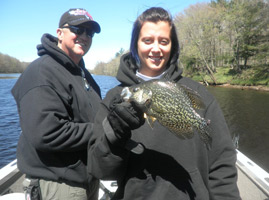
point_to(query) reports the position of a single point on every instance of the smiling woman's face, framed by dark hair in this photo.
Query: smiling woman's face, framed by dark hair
(154, 47)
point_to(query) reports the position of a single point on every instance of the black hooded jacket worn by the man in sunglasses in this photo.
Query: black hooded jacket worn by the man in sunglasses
(56, 116)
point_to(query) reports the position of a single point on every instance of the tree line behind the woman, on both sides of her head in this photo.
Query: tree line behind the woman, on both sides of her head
(220, 41)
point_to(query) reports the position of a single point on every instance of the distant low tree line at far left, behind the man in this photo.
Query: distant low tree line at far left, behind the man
(9, 64)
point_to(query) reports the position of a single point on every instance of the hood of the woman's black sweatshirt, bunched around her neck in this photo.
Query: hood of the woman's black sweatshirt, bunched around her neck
(127, 70)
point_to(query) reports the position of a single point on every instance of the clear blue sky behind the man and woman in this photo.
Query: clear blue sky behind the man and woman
(23, 22)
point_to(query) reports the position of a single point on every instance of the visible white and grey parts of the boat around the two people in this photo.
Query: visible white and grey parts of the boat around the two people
(253, 181)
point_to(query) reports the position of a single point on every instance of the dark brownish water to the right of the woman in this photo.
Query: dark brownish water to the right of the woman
(247, 115)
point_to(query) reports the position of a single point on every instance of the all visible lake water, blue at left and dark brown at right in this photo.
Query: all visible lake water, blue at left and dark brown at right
(246, 112)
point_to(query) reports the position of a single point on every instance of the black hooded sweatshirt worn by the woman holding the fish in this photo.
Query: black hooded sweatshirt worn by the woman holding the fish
(169, 168)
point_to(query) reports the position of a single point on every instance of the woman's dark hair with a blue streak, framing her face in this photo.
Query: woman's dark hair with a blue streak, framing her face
(154, 14)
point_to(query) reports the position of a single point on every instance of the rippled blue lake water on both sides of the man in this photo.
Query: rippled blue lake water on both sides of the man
(9, 119)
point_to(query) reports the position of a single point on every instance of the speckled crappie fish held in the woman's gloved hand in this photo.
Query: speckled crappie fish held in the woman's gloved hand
(173, 105)
